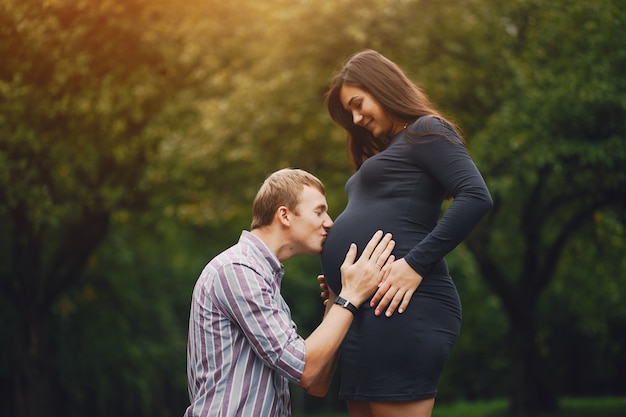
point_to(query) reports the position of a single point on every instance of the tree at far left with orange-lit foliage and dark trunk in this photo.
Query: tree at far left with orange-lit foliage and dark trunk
(79, 85)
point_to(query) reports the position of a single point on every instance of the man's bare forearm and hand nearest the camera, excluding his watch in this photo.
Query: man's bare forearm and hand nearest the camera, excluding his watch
(359, 281)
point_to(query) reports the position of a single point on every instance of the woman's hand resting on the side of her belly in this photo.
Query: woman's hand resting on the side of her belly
(396, 289)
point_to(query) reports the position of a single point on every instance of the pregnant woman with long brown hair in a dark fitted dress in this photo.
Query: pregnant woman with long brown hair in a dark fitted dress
(408, 160)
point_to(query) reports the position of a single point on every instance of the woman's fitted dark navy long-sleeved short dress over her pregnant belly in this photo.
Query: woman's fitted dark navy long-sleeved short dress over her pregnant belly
(401, 190)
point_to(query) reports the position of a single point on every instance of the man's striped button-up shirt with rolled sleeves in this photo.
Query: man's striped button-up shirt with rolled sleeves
(243, 348)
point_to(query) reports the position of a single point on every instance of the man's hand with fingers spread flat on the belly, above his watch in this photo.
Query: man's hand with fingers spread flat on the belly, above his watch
(360, 279)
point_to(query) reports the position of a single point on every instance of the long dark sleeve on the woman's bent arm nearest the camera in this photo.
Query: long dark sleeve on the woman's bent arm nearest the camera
(444, 157)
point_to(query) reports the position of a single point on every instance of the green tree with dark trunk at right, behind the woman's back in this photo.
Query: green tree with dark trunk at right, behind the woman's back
(553, 157)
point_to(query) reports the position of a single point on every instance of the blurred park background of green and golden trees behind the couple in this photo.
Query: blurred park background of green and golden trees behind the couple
(134, 134)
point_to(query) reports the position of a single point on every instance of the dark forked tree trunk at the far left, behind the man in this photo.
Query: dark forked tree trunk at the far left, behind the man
(34, 287)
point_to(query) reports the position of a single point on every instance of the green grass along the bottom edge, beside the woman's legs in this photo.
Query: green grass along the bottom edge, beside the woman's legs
(569, 407)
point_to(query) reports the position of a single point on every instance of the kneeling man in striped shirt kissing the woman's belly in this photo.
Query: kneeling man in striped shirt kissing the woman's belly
(243, 349)
